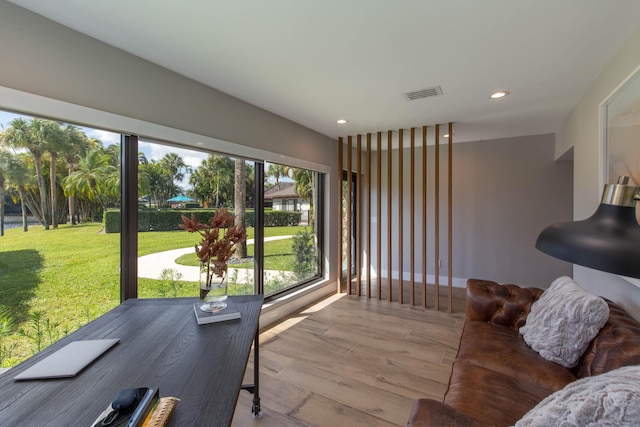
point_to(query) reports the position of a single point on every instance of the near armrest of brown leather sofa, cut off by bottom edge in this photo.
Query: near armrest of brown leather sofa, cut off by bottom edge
(429, 412)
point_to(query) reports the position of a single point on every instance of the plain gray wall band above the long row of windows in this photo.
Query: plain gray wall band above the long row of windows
(42, 57)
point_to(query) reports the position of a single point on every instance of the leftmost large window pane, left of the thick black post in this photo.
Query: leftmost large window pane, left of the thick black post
(58, 269)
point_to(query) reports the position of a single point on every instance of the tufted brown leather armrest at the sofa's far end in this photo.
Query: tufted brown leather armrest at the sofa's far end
(505, 305)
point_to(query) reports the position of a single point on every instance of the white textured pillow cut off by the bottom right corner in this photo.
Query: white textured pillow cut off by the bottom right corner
(610, 399)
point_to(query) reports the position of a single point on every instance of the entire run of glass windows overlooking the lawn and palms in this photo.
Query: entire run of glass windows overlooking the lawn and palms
(62, 255)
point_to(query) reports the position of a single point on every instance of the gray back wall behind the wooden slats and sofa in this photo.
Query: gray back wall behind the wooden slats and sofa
(504, 193)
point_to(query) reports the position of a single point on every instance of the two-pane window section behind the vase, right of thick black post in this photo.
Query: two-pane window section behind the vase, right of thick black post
(173, 182)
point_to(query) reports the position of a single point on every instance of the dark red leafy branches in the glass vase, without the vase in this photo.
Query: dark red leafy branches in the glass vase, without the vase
(216, 247)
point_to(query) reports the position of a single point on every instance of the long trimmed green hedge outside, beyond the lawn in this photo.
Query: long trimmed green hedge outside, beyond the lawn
(169, 219)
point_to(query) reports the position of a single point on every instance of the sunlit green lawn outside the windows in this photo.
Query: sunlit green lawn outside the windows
(52, 282)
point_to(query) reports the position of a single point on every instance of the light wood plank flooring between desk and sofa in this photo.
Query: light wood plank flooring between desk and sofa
(353, 361)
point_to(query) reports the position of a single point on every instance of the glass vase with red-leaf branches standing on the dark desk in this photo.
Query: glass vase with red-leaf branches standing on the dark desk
(219, 241)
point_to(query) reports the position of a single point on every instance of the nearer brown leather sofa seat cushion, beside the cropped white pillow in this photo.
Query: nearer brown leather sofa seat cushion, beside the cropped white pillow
(489, 396)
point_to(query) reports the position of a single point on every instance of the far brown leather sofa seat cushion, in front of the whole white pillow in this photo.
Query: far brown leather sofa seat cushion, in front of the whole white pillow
(503, 350)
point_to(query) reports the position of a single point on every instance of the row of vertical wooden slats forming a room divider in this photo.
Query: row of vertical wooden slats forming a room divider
(357, 208)
